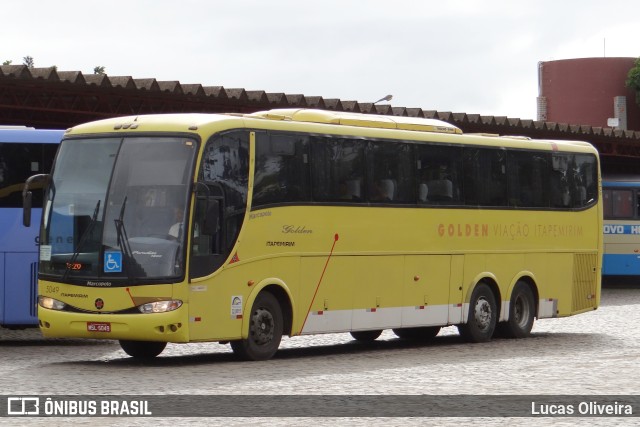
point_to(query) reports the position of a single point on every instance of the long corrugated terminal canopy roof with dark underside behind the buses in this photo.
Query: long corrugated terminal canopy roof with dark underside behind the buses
(47, 98)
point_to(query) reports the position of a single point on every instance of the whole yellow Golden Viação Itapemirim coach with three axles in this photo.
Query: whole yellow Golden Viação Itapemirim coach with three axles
(244, 228)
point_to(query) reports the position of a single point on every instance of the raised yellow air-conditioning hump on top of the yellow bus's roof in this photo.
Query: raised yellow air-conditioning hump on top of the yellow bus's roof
(357, 119)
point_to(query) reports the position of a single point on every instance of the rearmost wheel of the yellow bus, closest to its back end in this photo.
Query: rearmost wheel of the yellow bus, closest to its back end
(522, 308)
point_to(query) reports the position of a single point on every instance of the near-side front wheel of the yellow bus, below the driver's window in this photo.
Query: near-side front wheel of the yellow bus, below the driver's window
(265, 330)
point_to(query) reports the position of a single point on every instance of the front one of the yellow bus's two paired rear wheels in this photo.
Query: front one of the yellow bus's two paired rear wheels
(482, 318)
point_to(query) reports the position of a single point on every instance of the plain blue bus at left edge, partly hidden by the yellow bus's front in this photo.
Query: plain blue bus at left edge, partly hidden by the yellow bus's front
(23, 153)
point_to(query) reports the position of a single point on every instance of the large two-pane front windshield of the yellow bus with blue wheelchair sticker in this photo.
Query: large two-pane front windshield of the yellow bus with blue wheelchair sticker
(115, 209)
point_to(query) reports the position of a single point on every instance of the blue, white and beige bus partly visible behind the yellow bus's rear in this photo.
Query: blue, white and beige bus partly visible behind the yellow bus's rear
(621, 203)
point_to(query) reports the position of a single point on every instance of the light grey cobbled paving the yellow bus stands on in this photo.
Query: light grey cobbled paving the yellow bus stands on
(593, 353)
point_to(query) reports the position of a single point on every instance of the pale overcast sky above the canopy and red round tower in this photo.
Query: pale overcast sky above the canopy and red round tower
(471, 56)
